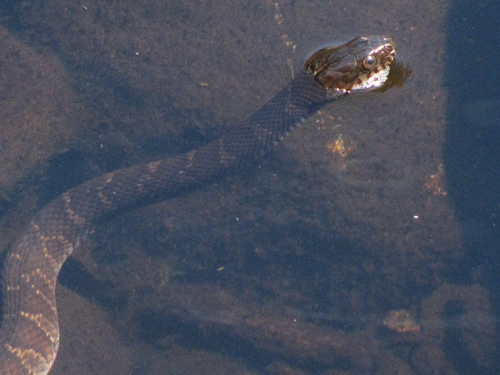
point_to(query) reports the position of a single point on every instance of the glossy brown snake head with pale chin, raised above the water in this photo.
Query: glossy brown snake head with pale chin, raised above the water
(361, 64)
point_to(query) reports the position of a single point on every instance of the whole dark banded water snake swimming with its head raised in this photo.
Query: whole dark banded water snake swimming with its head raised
(29, 334)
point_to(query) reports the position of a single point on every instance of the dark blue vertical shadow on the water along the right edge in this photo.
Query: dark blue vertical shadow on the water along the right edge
(472, 149)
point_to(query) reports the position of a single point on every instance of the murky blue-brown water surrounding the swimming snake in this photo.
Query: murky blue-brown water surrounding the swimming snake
(294, 263)
